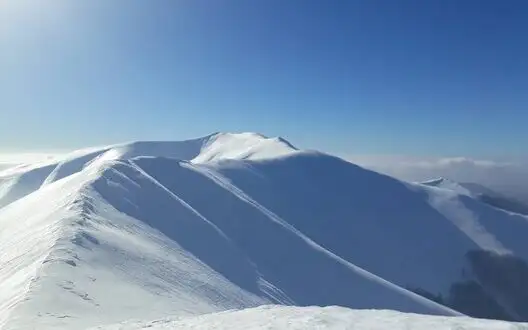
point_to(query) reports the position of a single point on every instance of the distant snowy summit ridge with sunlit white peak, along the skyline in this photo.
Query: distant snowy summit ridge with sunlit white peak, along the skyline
(19, 181)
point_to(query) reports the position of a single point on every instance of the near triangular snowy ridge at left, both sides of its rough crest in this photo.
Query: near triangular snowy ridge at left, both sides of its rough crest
(82, 262)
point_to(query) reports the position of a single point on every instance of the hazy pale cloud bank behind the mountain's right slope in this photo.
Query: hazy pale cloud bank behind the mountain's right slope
(509, 178)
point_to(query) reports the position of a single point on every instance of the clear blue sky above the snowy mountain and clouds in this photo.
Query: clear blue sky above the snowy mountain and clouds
(435, 77)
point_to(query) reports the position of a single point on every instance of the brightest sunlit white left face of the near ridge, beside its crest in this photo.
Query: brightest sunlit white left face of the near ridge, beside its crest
(28, 245)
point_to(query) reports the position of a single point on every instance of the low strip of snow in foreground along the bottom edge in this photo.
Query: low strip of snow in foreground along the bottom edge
(311, 318)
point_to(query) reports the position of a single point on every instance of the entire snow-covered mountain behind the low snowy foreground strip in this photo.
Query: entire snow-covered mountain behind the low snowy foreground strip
(148, 230)
